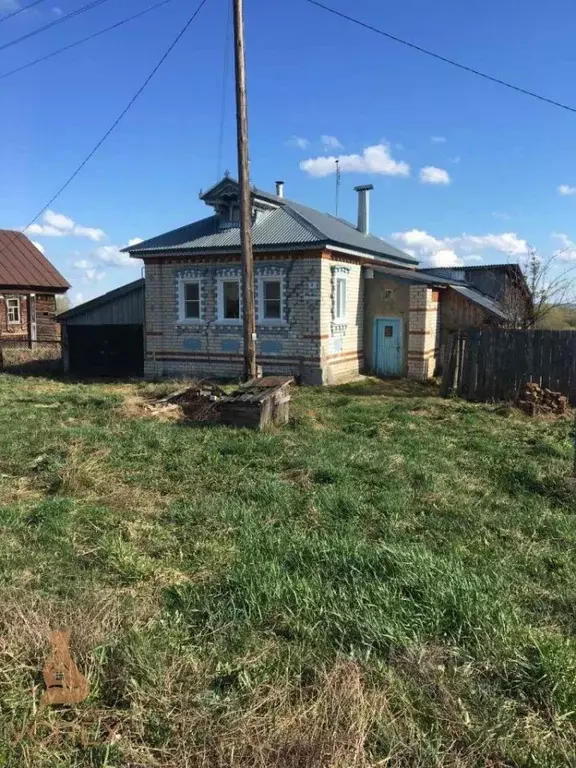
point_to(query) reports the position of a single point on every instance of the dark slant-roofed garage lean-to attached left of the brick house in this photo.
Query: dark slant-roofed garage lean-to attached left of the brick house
(105, 336)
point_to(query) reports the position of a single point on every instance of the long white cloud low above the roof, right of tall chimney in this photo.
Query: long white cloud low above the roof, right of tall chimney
(455, 251)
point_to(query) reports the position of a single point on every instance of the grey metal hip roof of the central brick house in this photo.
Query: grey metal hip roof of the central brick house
(288, 224)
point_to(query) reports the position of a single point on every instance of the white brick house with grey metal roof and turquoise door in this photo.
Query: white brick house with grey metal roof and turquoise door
(332, 300)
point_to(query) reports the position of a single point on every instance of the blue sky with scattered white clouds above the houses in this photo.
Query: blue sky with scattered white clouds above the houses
(464, 170)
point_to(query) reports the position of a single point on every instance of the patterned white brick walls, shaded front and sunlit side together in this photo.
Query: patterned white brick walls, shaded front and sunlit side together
(308, 345)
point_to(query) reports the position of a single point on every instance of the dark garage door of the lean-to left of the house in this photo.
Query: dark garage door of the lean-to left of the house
(106, 350)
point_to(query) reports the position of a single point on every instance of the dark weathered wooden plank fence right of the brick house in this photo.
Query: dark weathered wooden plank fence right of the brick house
(495, 364)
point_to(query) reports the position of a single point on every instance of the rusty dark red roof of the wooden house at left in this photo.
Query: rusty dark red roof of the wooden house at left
(23, 266)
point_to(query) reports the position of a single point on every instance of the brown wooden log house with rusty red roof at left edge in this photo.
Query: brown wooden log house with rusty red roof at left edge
(29, 285)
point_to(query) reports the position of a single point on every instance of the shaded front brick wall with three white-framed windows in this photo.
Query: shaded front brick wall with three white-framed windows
(212, 348)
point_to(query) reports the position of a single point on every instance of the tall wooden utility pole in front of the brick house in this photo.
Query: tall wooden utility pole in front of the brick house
(245, 200)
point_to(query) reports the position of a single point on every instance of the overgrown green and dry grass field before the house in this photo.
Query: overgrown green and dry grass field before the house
(388, 581)
